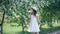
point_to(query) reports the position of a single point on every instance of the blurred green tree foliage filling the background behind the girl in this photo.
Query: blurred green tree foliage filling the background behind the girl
(17, 11)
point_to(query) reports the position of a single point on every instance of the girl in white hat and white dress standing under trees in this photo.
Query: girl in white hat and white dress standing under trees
(33, 27)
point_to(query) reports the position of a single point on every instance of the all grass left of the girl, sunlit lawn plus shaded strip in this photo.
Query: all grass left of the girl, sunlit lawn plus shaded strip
(10, 28)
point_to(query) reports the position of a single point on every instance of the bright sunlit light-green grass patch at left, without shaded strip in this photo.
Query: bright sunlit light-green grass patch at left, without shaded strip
(9, 29)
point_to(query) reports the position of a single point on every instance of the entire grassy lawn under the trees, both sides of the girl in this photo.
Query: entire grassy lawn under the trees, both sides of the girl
(12, 28)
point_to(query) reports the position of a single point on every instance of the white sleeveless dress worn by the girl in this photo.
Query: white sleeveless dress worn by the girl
(33, 27)
